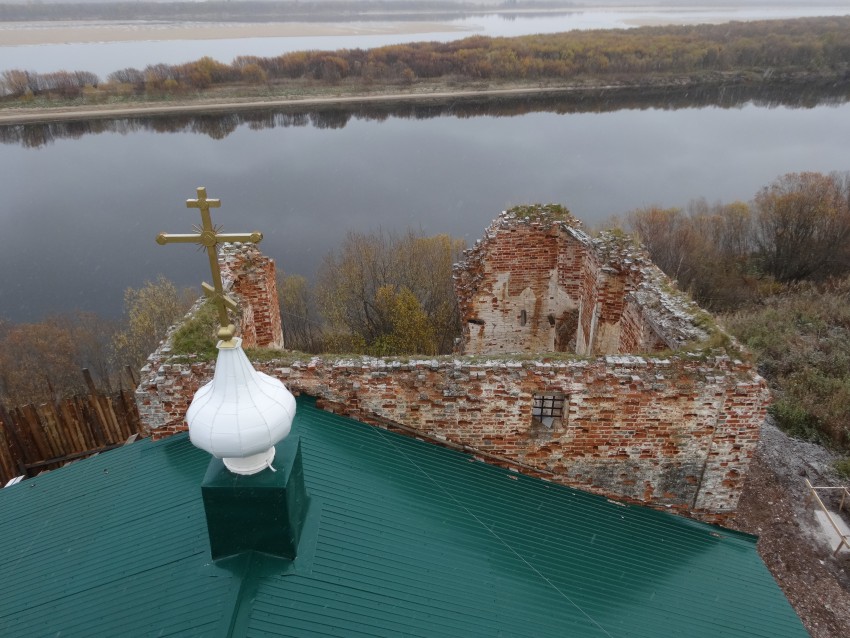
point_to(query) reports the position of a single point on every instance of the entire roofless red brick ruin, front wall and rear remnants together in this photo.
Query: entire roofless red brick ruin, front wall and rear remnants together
(674, 430)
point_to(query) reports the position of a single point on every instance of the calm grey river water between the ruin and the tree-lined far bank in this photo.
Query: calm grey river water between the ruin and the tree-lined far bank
(79, 216)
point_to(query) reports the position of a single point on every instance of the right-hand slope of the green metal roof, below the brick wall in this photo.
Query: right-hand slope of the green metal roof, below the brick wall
(484, 534)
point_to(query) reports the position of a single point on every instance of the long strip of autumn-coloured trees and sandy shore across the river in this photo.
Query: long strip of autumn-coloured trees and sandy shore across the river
(342, 79)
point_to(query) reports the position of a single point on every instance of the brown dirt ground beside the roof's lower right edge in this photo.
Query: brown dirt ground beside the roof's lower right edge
(791, 542)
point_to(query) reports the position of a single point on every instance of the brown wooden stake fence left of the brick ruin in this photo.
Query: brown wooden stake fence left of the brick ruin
(38, 438)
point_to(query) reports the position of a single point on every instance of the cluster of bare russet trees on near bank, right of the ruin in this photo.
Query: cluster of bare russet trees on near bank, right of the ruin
(796, 228)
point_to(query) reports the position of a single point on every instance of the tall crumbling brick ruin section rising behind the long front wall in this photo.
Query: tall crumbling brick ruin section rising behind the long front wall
(537, 283)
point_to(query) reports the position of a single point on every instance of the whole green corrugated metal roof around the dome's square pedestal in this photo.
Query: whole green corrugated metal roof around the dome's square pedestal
(405, 539)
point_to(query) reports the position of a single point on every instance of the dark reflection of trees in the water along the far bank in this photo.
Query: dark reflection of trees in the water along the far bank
(601, 100)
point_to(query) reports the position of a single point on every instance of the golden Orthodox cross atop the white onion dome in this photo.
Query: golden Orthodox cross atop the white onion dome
(209, 237)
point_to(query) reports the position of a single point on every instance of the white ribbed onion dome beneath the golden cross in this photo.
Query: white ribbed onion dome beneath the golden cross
(241, 414)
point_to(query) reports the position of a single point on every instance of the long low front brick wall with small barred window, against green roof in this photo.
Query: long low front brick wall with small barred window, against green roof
(676, 433)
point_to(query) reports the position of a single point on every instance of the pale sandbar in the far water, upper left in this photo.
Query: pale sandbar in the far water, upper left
(18, 34)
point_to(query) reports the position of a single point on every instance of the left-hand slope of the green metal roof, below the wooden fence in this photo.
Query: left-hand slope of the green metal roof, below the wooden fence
(112, 546)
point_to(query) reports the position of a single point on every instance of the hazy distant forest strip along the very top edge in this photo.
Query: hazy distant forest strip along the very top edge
(252, 11)
